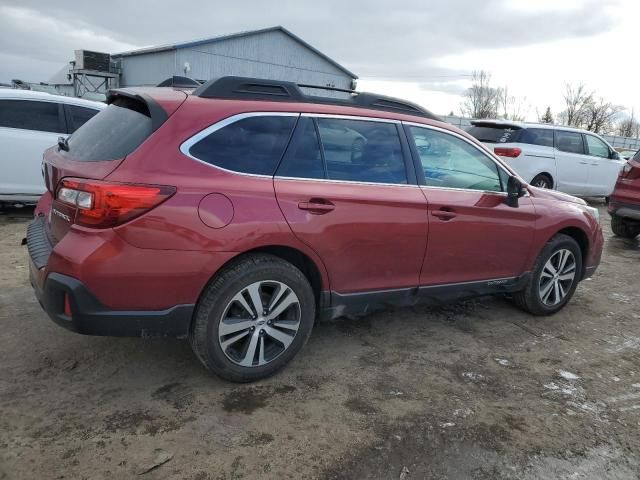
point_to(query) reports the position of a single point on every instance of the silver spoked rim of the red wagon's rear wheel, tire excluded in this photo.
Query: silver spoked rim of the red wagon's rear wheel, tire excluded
(259, 323)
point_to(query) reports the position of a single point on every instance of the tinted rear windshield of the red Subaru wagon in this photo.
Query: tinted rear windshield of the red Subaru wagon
(112, 134)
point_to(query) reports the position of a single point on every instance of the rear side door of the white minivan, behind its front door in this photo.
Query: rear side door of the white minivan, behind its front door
(572, 163)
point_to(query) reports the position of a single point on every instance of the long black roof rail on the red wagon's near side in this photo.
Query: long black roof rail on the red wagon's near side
(245, 88)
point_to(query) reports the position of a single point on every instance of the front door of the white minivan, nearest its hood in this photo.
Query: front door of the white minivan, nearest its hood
(603, 170)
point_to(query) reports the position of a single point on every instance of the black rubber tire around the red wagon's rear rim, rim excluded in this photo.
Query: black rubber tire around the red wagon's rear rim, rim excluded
(217, 297)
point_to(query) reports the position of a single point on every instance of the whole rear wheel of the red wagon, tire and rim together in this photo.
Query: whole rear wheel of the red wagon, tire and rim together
(253, 318)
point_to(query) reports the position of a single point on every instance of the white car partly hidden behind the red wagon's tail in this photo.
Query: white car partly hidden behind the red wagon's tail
(31, 122)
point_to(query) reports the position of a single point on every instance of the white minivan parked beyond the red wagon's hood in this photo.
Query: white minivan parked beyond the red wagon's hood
(567, 159)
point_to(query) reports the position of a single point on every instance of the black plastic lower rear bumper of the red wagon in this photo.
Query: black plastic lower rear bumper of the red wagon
(90, 317)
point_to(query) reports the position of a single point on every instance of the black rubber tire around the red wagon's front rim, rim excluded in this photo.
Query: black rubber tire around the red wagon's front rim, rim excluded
(529, 299)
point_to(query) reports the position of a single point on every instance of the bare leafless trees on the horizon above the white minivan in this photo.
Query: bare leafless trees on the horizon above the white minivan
(582, 108)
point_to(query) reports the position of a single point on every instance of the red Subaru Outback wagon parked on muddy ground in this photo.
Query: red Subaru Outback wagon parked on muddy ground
(240, 212)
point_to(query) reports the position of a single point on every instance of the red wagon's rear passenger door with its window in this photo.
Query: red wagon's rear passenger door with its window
(347, 189)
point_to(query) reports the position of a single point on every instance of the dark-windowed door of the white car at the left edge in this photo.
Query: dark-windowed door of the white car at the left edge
(27, 129)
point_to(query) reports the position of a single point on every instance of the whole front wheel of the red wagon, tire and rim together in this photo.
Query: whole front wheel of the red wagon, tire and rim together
(554, 278)
